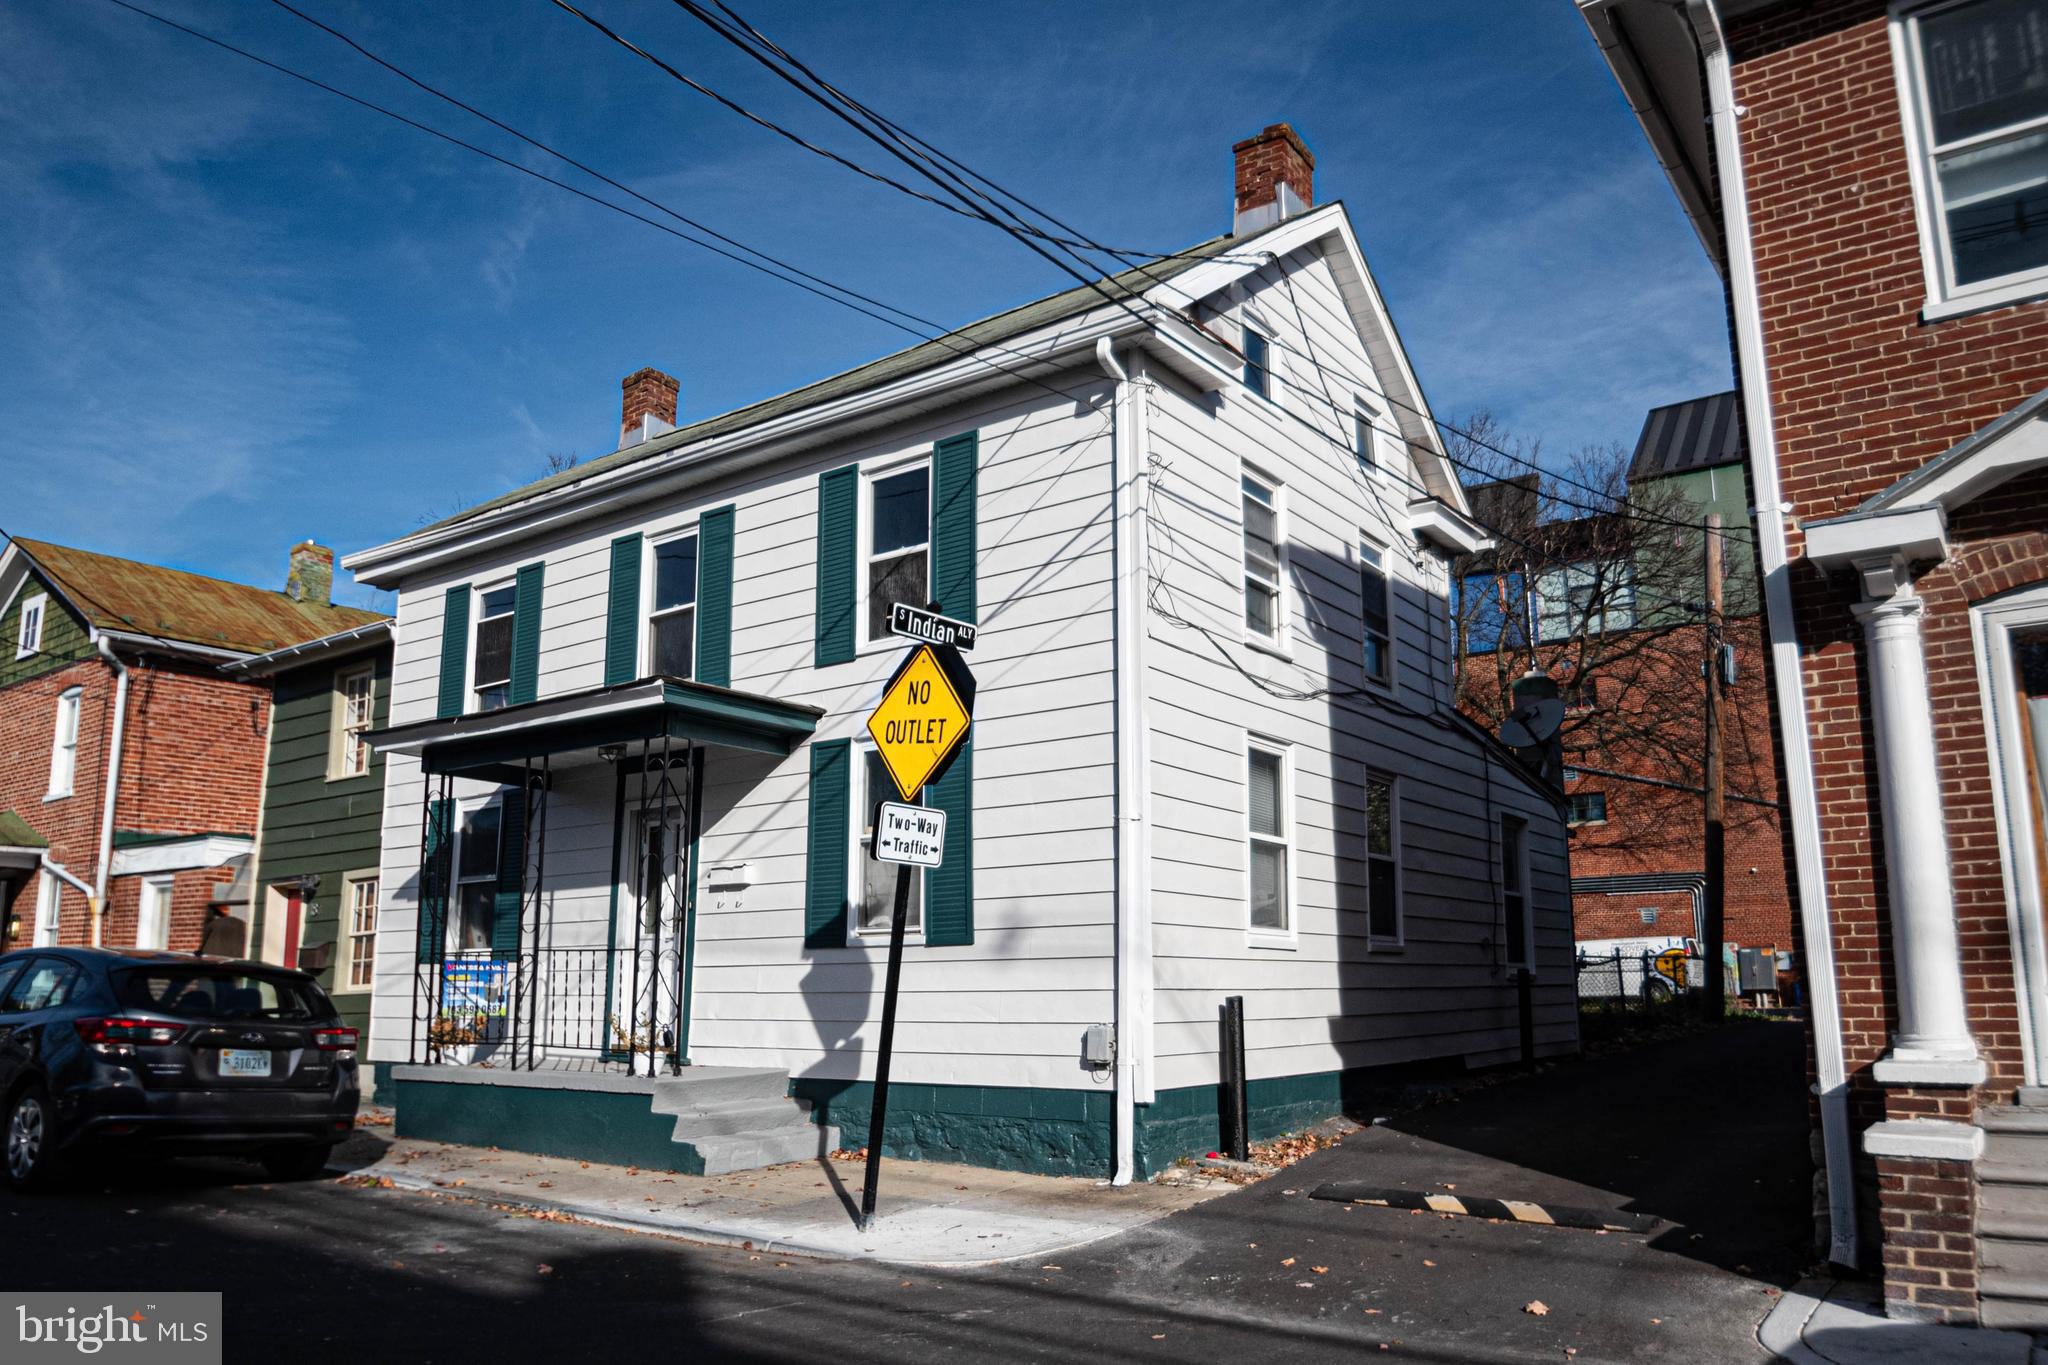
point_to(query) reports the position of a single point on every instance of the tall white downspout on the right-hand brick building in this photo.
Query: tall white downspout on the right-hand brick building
(1791, 685)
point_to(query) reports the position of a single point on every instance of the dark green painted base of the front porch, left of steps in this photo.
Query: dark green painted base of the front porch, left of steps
(615, 1129)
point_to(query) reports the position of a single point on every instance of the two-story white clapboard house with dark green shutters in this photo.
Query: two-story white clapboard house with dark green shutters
(1203, 533)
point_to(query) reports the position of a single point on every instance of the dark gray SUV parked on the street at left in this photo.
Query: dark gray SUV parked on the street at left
(105, 1051)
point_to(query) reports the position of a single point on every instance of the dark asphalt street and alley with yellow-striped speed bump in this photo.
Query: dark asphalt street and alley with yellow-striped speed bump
(1707, 1133)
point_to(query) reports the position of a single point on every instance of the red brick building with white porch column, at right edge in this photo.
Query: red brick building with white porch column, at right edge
(1867, 179)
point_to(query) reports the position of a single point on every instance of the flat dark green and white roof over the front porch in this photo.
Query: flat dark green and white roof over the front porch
(579, 721)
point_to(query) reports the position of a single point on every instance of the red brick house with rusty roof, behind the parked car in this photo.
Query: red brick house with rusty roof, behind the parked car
(130, 766)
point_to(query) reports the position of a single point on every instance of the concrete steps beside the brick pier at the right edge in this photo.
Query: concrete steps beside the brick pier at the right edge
(2012, 1215)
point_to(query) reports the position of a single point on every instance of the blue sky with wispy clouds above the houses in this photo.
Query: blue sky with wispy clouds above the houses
(239, 312)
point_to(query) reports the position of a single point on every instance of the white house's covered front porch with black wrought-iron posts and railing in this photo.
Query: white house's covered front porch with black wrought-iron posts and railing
(560, 873)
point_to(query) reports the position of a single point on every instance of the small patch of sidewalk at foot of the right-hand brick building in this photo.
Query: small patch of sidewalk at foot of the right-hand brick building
(1838, 1323)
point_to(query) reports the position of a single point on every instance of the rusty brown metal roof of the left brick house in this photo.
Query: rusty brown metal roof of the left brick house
(120, 595)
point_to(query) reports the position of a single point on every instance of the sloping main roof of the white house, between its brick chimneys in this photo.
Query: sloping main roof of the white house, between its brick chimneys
(951, 347)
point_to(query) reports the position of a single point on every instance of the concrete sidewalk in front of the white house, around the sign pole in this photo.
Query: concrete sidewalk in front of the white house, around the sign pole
(929, 1213)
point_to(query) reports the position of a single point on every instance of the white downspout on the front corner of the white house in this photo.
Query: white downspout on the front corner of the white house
(1134, 832)
